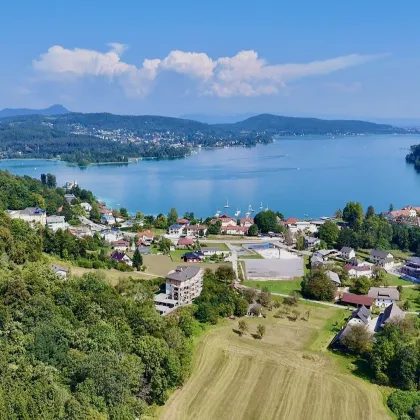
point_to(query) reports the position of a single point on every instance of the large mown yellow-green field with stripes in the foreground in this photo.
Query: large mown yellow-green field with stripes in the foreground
(286, 375)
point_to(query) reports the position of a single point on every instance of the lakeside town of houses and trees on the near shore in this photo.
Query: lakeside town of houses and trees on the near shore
(262, 248)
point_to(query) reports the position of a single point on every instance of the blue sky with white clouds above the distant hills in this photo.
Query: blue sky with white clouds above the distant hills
(353, 59)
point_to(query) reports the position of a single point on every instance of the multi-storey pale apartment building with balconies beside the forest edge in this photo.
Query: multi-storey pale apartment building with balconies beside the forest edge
(182, 286)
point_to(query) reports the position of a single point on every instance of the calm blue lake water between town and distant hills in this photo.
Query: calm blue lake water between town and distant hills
(297, 176)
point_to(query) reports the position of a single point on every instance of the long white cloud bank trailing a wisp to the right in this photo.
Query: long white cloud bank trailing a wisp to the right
(244, 74)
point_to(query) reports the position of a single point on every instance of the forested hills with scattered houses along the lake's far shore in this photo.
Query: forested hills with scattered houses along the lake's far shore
(93, 138)
